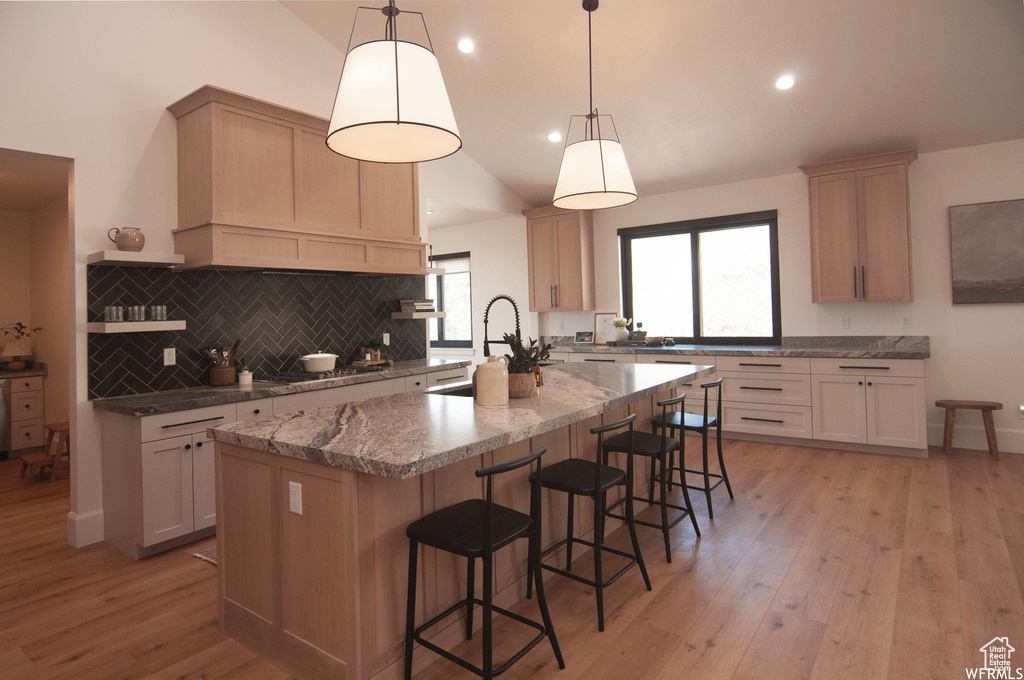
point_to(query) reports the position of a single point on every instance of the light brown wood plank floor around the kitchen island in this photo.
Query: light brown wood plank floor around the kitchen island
(828, 565)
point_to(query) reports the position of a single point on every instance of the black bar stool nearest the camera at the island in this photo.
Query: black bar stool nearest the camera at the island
(479, 529)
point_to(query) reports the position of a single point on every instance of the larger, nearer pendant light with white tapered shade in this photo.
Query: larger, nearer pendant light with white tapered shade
(393, 106)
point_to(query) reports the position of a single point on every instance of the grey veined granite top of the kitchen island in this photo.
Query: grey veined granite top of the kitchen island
(404, 436)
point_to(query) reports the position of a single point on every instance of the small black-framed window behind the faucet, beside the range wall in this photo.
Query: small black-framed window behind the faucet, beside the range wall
(452, 295)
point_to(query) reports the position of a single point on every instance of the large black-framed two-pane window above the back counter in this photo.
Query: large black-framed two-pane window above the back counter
(705, 281)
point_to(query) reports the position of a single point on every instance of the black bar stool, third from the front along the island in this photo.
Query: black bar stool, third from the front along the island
(658, 449)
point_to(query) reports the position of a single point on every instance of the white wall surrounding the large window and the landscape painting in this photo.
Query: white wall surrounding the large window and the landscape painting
(977, 351)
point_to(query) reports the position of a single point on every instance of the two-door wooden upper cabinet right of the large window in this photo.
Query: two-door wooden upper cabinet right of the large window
(861, 229)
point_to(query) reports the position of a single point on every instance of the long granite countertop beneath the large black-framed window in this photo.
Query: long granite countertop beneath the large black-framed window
(916, 347)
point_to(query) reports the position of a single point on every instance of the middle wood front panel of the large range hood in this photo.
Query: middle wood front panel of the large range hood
(327, 188)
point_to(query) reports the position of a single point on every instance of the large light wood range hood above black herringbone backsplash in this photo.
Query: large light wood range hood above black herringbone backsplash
(259, 188)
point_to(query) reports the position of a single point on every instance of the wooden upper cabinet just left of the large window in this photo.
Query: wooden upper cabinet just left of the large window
(562, 260)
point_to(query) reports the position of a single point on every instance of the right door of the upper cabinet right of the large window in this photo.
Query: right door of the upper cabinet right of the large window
(885, 235)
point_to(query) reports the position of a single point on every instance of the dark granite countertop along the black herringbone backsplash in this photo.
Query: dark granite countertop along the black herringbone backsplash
(199, 398)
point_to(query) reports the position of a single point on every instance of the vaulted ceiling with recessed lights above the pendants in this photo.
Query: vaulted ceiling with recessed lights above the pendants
(691, 83)
